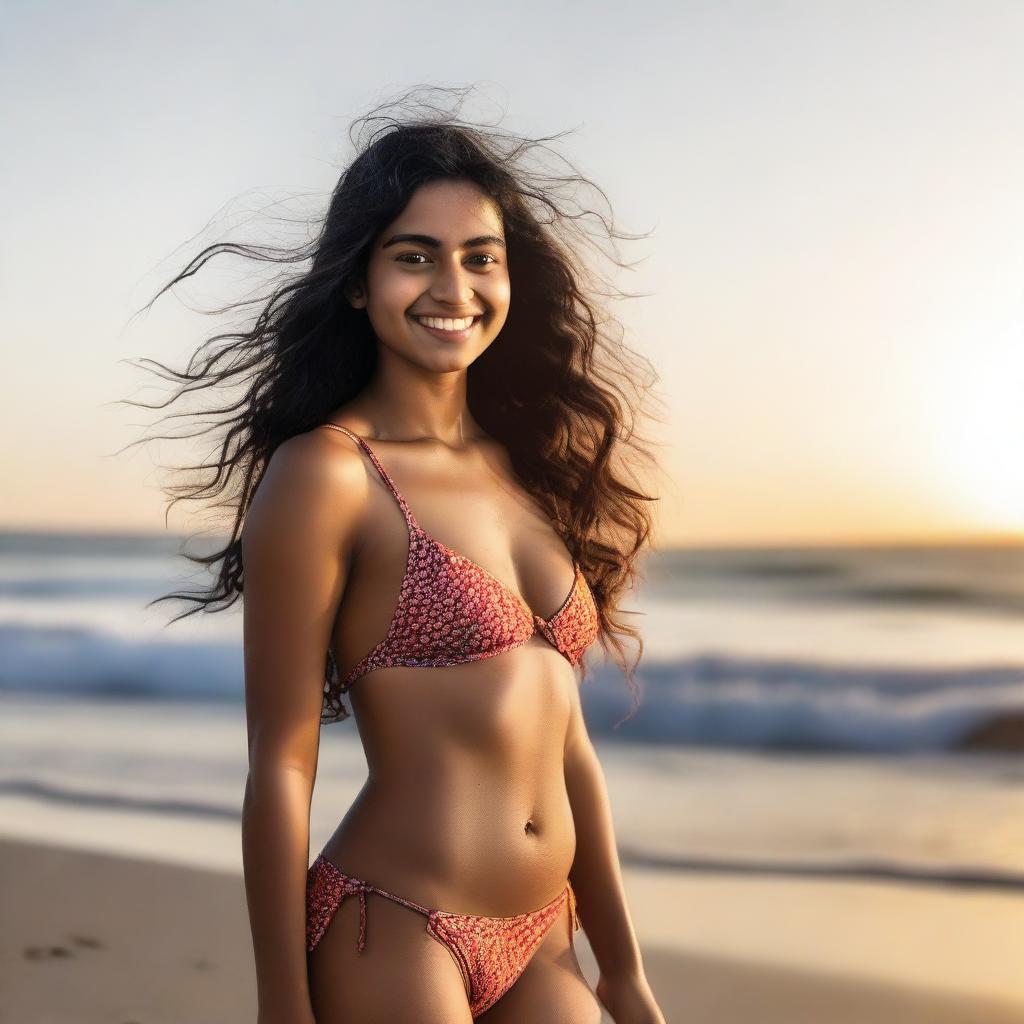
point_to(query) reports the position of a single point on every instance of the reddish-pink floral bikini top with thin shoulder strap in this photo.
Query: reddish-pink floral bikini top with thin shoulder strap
(452, 611)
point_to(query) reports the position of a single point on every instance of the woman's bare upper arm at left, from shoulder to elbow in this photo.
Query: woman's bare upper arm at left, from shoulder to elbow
(297, 545)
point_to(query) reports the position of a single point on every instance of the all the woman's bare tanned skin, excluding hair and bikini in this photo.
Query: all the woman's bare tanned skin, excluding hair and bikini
(484, 792)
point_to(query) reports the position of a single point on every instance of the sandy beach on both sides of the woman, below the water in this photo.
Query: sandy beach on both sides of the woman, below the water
(91, 937)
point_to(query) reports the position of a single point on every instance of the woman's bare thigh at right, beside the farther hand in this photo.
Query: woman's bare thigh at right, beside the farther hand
(551, 990)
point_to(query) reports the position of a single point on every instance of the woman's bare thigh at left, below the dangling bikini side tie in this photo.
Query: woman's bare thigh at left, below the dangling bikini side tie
(403, 975)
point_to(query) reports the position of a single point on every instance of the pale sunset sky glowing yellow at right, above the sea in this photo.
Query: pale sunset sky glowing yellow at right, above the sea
(831, 195)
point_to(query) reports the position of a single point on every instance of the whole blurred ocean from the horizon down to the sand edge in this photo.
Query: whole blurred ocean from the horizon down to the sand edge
(803, 710)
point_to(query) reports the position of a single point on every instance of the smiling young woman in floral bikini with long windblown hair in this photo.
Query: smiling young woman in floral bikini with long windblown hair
(433, 501)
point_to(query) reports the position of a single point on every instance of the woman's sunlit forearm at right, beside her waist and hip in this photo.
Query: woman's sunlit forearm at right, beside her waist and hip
(596, 875)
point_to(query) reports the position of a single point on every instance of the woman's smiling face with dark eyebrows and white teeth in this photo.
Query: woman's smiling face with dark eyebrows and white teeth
(437, 288)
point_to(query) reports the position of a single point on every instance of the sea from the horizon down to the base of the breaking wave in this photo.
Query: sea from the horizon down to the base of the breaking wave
(892, 650)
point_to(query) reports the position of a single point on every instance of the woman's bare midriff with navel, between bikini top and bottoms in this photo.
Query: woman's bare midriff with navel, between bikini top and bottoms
(466, 802)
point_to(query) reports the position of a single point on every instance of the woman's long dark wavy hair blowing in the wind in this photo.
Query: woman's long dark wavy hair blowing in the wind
(557, 388)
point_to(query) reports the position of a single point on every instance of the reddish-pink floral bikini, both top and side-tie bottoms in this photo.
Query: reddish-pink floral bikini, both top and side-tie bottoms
(453, 612)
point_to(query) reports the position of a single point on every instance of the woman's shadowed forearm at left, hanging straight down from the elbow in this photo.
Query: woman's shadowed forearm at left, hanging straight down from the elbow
(276, 856)
